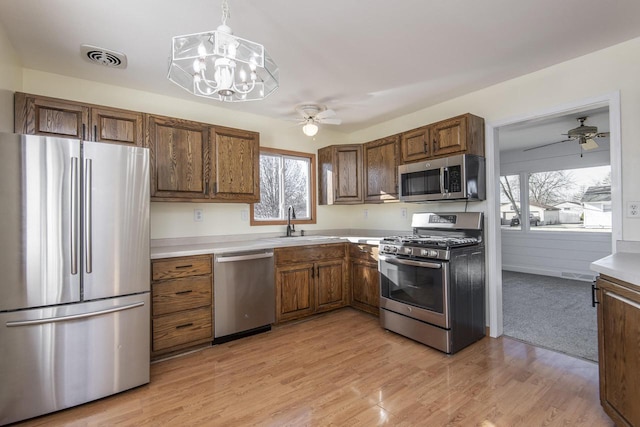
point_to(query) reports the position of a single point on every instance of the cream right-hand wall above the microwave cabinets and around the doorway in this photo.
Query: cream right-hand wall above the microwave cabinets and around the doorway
(593, 75)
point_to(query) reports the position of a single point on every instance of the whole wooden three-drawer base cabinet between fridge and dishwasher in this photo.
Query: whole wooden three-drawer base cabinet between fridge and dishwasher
(181, 304)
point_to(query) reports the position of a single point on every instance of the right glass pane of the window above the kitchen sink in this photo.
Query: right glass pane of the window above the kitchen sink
(296, 185)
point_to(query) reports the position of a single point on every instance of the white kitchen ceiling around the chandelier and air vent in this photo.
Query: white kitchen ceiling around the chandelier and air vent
(369, 61)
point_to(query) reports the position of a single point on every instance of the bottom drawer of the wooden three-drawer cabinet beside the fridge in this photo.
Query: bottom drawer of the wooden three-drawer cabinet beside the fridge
(182, 328)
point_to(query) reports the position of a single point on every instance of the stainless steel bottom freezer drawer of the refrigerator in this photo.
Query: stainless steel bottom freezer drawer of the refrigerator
(58, 357)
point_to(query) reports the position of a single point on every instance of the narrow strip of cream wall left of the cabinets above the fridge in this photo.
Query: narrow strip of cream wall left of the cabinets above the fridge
(10, 81)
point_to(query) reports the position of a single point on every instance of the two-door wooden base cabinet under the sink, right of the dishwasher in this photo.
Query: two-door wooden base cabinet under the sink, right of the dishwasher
(310, 279)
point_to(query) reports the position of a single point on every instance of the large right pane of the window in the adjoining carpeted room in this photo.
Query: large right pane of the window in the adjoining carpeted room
(571, 200)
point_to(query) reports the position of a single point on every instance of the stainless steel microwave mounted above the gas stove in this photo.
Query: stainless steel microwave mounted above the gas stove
(459, 177)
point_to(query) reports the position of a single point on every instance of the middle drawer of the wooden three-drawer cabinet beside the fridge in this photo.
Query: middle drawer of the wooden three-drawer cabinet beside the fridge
(181, 294)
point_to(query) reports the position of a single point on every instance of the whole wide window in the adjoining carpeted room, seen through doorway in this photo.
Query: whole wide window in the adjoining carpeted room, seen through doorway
(564, 200)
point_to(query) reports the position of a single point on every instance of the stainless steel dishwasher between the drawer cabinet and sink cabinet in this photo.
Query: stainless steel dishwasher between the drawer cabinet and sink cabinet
(244, 294)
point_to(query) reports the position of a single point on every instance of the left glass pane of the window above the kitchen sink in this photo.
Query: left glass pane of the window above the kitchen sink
(269, 206)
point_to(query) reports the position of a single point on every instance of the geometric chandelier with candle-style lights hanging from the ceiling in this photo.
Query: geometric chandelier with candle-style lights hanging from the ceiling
(218, 65)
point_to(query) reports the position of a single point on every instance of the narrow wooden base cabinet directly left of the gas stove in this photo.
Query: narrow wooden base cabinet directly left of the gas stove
(364, 281)
